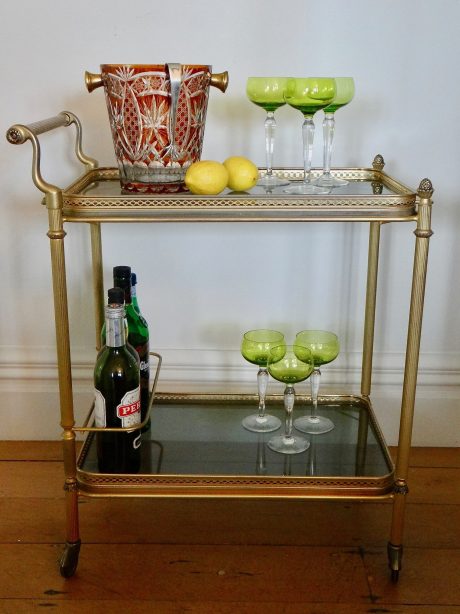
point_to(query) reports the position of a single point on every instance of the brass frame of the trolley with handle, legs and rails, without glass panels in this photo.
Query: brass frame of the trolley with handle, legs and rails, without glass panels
(398, 204)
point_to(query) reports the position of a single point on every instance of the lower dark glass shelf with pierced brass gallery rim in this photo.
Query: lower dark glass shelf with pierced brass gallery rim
(197, 447)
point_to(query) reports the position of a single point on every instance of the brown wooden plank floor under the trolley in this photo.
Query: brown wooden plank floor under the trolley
(203, 556)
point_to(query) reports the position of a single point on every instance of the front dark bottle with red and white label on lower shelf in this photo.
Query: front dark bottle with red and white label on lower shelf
(117, 399)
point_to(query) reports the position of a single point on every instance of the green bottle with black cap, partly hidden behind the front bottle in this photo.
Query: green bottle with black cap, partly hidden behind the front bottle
(138, 333)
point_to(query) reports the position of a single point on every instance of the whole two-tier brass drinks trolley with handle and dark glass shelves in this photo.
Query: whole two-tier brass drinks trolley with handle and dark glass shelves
(197, 447)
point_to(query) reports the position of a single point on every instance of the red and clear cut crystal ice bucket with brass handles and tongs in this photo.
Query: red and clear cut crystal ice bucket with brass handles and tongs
(157, 115)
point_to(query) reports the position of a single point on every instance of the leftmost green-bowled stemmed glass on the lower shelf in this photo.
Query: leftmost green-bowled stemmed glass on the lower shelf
(255, 348)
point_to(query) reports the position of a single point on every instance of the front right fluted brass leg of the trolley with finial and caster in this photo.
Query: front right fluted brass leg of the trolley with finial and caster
(422, 233)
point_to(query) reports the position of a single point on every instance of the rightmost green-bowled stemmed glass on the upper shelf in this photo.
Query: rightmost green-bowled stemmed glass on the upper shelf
(345, 90)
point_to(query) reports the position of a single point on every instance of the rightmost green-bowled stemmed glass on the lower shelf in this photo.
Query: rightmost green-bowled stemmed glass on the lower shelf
(324, 348)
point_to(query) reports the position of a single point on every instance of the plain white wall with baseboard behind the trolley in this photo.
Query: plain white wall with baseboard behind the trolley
(404, 58)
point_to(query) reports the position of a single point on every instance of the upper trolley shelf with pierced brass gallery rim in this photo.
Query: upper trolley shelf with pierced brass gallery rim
(370, 195)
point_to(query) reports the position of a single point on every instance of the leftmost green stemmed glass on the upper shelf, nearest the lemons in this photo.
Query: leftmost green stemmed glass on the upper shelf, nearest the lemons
(268, 93)
